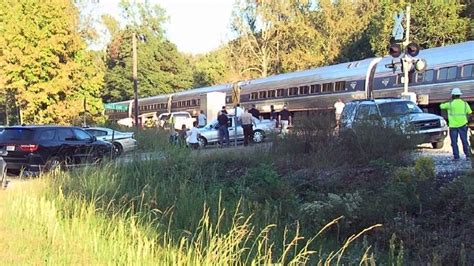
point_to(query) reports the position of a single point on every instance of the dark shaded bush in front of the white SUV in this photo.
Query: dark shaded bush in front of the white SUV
(315, 142)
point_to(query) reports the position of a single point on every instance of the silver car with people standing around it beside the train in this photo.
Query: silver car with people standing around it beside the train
(210, 133)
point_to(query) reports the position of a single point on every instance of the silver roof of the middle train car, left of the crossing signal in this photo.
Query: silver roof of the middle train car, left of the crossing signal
(319, 74)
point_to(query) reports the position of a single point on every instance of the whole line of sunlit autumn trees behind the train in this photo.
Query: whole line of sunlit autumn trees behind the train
(49, 75)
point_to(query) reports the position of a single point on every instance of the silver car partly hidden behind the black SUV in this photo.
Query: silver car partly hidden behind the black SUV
(123, 141)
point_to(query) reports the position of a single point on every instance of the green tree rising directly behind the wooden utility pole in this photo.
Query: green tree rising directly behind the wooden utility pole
(161, 68)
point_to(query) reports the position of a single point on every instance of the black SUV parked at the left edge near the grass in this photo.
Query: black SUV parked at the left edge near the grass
(38, 148)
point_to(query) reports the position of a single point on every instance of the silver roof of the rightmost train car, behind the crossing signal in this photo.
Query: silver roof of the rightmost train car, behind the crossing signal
(438, 56)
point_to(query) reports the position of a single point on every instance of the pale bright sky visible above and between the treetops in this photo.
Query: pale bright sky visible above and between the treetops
(195, 26)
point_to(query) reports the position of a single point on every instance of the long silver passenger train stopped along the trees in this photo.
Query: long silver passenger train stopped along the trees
(318, 88)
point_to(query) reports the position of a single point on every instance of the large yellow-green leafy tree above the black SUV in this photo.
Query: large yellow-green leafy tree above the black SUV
(44, 63)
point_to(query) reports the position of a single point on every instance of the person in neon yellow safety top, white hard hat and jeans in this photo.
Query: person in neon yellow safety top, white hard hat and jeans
(458, 111)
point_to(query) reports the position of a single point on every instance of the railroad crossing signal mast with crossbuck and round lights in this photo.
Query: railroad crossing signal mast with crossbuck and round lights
(409, 61)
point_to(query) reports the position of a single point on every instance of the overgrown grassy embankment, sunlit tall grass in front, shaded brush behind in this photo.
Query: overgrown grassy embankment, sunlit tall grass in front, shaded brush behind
(262, 204)
